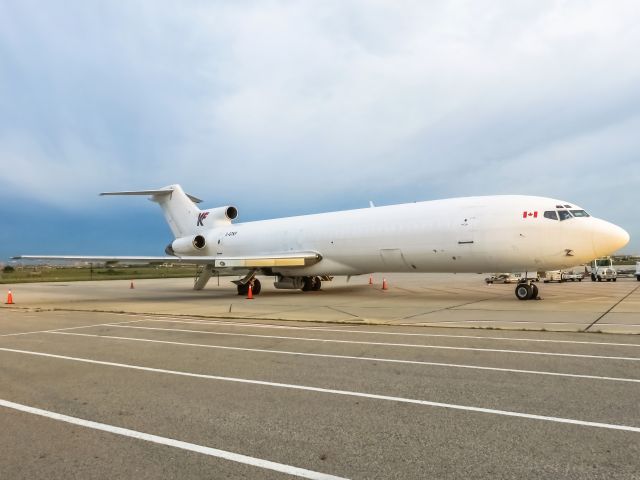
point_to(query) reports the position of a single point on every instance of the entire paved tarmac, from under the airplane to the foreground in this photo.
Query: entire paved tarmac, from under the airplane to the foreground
(348, 382)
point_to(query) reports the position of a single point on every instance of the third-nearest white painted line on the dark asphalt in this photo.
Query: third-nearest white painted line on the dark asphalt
(350, 357)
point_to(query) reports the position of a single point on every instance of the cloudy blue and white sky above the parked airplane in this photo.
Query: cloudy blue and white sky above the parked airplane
(293, 107)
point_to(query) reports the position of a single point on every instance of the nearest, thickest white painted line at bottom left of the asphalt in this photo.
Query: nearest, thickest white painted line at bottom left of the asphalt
(192, 447)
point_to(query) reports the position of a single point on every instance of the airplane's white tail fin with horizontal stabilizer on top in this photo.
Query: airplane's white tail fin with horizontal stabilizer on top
(179, 208)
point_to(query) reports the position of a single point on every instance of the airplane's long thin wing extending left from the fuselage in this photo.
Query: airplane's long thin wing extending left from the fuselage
(288, 259)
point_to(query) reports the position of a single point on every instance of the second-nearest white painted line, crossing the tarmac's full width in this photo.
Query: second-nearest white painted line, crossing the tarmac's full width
(372, 396)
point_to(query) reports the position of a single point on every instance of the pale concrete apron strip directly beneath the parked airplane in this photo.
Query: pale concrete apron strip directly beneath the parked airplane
(462, 300)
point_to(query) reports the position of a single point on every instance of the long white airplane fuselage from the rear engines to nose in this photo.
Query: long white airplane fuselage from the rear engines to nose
(472, 234)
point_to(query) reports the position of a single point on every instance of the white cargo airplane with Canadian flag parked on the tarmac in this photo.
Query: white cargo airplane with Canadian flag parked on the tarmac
(503, 233)
